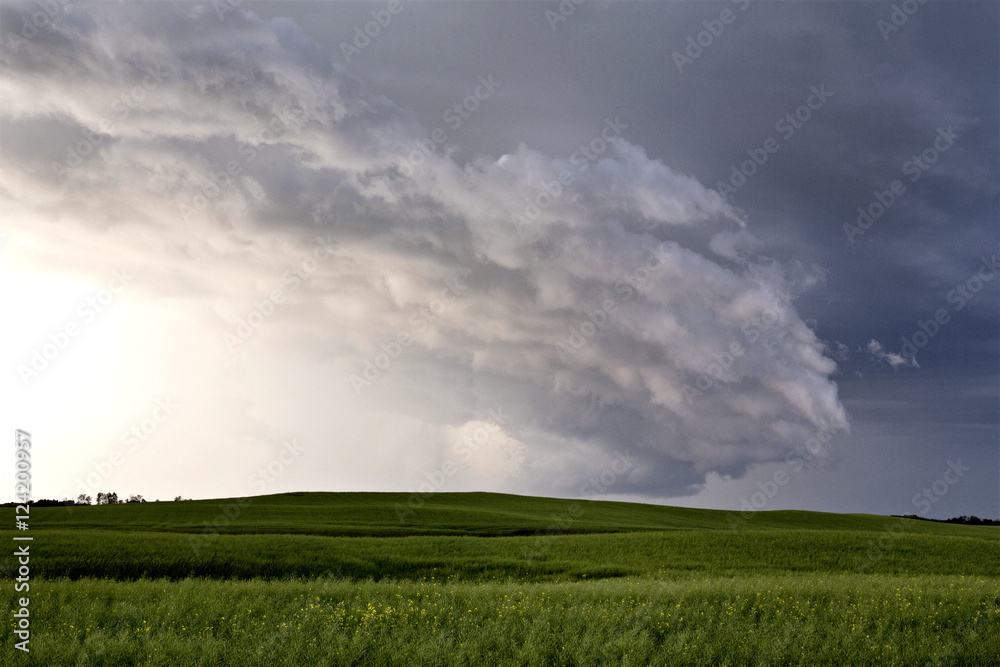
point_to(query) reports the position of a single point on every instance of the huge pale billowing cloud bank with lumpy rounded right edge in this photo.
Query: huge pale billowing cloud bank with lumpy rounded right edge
(414, 298)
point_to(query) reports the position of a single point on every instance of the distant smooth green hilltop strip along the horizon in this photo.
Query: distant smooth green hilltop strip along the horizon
(484, 514)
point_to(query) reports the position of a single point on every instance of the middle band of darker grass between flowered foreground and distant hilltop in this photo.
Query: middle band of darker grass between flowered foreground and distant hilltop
(133, 555)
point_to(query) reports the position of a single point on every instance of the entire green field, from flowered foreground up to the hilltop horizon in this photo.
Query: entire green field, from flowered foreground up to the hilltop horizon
(482, 579)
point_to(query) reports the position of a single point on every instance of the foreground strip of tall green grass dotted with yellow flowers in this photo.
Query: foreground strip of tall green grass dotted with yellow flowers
(840, 619)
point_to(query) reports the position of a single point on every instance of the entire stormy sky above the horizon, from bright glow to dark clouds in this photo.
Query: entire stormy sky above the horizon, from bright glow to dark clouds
(736, 255)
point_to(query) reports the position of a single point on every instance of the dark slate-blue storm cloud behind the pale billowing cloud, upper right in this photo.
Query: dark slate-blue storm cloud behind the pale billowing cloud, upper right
(894, 92)
